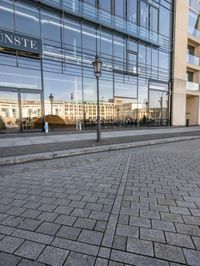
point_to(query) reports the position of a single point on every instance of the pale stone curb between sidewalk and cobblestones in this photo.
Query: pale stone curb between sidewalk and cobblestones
(88, 150)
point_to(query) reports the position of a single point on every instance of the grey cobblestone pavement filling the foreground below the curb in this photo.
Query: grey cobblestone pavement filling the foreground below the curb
(128, 207)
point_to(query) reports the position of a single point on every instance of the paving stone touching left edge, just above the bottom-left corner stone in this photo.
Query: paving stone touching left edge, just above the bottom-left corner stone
(10, 244)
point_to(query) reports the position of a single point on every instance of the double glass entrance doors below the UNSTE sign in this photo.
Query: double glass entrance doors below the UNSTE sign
(20, 110)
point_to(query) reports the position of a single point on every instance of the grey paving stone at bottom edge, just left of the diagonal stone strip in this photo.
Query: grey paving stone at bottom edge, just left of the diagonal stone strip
(77, 259)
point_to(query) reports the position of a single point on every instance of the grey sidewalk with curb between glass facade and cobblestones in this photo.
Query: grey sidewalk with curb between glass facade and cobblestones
(19, 148)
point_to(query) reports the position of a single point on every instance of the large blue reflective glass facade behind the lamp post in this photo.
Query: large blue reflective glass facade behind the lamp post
(133, 39)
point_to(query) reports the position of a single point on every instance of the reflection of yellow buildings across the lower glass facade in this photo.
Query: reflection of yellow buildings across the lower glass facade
(70, 111)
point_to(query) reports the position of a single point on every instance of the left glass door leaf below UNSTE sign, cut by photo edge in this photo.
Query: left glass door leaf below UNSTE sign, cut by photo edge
(9, 112)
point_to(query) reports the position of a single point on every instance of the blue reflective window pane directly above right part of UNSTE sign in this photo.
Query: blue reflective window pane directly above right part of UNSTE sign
(26, 18)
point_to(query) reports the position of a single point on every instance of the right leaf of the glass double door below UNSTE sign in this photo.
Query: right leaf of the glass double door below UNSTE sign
(30, 111)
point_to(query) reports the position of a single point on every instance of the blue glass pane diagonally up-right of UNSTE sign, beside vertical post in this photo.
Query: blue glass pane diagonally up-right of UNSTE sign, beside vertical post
(51, 27)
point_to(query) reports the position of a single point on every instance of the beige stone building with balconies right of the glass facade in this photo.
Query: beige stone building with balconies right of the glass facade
(186, 63)
